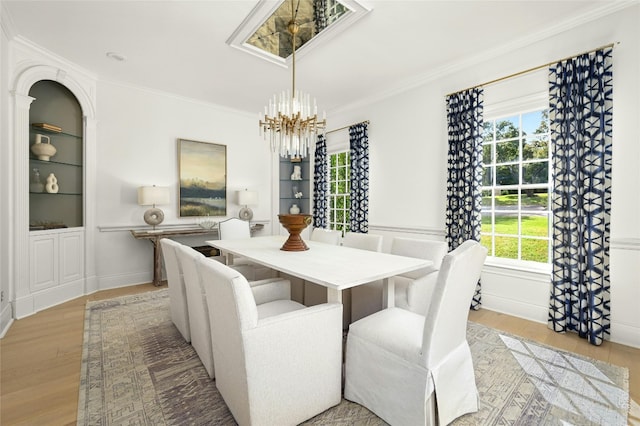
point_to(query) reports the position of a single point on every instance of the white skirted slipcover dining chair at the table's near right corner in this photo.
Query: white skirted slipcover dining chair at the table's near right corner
(414, 370)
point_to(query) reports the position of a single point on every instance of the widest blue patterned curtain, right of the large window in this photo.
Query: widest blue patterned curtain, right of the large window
(580, 113)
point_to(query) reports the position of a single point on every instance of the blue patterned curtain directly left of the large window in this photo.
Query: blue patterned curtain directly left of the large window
(464, 171)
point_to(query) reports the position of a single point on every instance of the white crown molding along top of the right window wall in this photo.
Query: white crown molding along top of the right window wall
(606, 9)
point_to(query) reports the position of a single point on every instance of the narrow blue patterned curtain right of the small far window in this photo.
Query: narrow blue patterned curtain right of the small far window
(359, 194)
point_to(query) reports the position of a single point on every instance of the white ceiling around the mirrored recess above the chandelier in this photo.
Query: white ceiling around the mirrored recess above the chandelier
(181, 47)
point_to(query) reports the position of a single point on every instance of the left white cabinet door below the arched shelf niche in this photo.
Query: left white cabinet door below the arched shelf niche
(43, 261)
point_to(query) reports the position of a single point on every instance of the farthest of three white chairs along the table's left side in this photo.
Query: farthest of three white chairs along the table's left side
(177, 292)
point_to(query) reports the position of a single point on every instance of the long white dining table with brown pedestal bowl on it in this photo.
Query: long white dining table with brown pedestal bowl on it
(335, 267)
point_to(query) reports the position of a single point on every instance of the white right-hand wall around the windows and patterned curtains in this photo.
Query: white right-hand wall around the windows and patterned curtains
(408, 135)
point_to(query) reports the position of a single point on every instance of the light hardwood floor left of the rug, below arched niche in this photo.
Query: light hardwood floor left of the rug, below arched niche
(40, 360)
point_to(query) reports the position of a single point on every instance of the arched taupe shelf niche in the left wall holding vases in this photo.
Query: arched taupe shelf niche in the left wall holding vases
(55, 104)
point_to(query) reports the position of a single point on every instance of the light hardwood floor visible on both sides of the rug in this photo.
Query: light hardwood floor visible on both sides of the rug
(40, 358)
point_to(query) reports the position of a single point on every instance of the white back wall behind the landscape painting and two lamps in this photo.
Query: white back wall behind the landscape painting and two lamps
(137, 145)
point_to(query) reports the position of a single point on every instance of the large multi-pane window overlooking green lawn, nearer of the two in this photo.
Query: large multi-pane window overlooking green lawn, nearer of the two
(516, 186)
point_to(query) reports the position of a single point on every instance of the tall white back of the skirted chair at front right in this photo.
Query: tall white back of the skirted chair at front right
(446, 322)
